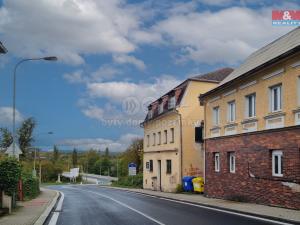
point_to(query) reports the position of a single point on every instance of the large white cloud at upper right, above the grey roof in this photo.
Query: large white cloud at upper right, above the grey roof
(224, 36)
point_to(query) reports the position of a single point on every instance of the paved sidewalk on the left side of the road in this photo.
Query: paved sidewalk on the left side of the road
(29, 212)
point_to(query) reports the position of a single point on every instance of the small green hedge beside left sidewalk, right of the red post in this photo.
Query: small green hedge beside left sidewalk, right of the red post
(31, 188)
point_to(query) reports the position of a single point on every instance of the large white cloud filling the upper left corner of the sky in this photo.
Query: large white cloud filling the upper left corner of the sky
(70, 28)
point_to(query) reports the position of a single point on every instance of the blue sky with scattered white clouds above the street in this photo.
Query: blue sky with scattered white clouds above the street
(115, 57)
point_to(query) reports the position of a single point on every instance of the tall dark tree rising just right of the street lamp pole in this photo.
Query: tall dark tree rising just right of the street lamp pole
(25, 135)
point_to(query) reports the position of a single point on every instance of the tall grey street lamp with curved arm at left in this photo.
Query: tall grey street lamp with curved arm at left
(48, 58)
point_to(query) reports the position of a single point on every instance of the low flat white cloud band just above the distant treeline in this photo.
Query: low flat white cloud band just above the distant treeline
(100, 143)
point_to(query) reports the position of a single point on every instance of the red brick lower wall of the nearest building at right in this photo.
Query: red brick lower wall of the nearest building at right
(253, 154)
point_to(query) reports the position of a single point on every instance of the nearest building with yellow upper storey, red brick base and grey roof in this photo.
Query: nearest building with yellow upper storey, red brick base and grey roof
(252, 132)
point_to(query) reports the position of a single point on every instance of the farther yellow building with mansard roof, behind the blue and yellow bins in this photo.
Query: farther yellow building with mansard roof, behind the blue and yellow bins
(170, 148)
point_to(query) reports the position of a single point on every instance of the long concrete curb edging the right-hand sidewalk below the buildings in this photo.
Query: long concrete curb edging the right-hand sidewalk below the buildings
(133, 190)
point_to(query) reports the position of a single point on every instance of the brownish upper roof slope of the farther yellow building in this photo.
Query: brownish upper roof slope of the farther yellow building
(215, 76)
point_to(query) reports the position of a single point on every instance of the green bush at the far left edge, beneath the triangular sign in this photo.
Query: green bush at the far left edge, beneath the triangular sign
(10, 173)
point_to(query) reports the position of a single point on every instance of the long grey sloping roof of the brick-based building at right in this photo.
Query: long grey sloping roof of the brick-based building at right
(274, 50)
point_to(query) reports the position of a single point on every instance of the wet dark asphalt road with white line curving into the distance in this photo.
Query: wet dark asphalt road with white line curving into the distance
(93, 205)
